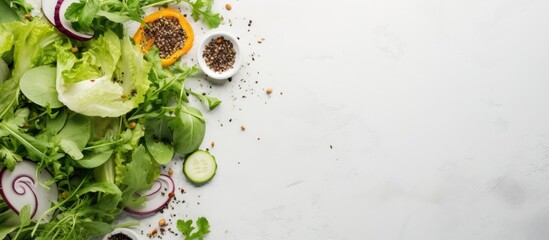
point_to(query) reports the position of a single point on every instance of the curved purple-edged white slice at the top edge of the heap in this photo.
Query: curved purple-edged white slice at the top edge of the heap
(64, 25)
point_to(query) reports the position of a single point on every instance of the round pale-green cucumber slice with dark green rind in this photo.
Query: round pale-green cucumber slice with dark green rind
(200, 167)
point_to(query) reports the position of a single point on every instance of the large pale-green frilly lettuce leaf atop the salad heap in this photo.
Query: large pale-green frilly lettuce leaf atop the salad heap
(109, 80)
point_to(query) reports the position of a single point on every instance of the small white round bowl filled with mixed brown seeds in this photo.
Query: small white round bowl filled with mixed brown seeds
(219, 55)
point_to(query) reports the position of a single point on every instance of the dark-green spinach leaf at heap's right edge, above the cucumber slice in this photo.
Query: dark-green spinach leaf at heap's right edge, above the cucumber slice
(188, 130)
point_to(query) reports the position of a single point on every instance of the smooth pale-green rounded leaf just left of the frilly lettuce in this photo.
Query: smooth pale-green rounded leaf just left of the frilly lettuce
(38, 85)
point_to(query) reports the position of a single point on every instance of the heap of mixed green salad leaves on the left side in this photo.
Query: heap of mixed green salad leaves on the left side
(100, 116)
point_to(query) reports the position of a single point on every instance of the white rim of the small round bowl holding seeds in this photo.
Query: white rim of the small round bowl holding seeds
(202, 63)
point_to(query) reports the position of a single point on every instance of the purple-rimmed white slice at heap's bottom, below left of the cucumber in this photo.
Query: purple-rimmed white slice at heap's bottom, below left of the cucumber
(157, 197)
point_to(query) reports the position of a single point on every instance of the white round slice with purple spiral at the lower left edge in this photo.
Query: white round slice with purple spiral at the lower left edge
(20, 188)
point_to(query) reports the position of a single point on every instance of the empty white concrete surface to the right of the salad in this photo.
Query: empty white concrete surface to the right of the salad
(437, 113)
